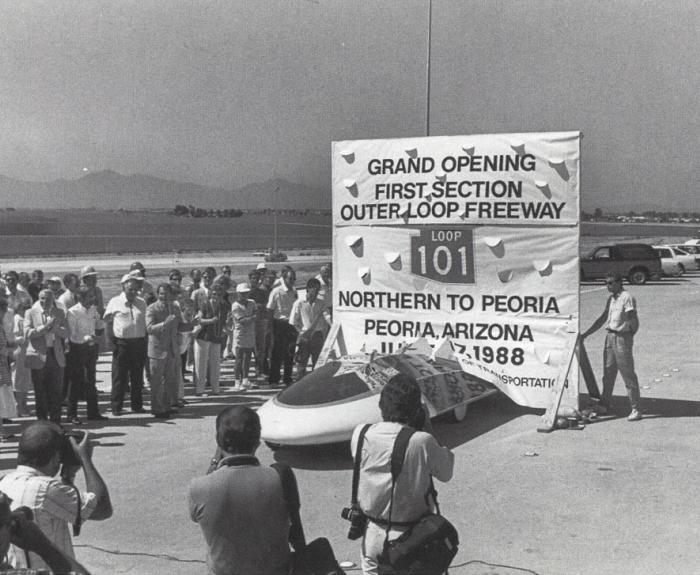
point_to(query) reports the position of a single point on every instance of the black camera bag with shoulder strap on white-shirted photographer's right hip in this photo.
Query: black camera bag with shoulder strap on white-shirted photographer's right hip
(428, 547)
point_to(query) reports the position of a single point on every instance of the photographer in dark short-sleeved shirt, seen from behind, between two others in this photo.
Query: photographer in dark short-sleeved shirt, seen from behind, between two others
(247, 519)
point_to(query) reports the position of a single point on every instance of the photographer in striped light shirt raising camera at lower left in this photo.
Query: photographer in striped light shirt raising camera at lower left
(43, 450)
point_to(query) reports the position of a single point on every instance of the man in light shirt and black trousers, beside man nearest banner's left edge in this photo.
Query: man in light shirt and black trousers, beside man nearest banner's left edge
(284, 335)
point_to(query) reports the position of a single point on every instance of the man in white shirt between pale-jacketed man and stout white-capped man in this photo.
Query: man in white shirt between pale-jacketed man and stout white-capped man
(81, 362)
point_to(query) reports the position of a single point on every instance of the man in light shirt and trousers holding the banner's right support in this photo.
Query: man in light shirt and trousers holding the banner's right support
(620, 315)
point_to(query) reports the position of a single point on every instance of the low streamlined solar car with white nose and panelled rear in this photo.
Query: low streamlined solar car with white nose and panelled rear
(326, 405)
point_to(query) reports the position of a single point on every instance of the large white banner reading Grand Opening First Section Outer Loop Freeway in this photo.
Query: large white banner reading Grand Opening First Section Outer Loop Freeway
(472, 238)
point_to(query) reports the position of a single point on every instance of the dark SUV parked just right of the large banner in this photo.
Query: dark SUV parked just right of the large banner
(637, 262)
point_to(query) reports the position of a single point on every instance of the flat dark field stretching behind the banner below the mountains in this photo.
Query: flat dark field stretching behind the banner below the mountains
(62, 233)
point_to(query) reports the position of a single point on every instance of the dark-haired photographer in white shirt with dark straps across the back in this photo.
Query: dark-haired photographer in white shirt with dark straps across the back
(400, 404)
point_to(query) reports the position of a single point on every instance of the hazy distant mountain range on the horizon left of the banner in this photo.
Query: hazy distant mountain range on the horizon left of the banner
(110, 190)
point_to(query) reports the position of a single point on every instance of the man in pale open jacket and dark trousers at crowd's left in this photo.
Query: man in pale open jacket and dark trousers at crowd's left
(45, 327)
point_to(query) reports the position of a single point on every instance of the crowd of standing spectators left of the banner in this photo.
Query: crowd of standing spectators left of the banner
(52, 331)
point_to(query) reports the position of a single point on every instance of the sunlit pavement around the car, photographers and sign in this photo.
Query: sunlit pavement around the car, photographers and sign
(615, 498)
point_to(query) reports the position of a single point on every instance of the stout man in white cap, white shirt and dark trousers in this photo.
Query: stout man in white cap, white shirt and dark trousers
(125, 317)
